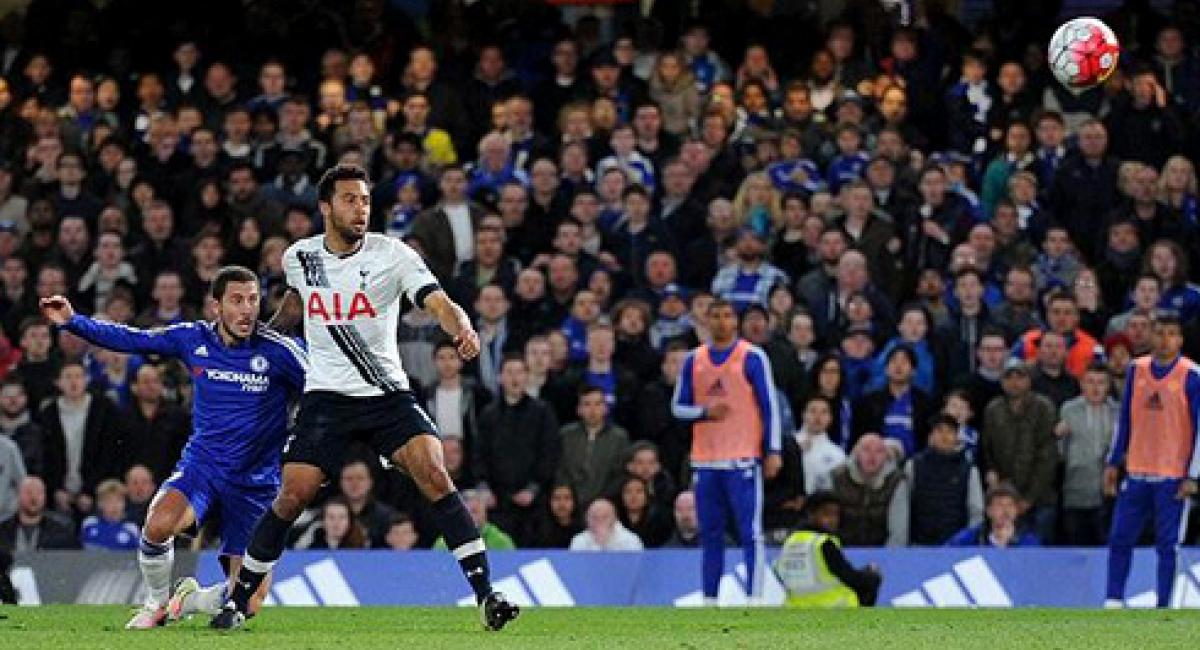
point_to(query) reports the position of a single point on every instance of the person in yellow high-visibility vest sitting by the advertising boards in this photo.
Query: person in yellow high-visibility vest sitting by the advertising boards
(813, 568)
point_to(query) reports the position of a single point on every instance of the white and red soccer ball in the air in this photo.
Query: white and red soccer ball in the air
(1084, 52)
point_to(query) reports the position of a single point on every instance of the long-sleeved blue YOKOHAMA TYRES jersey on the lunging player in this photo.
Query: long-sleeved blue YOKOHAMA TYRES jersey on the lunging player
(242, 393)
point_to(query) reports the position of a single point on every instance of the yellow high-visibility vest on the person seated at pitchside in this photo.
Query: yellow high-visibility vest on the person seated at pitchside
(809, 583)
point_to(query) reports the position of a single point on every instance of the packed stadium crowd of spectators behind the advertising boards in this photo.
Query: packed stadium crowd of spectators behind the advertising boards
(949, 258)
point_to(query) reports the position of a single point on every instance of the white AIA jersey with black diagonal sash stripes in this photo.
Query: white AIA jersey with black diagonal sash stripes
(352, 311)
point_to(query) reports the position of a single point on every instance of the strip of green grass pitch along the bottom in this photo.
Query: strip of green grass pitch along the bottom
(79, 628)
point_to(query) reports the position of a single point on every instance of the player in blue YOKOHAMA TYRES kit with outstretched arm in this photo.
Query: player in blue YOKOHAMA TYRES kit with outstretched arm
(245, 377)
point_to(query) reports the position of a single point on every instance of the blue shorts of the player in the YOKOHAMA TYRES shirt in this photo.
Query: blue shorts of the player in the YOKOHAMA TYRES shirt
(239, 507)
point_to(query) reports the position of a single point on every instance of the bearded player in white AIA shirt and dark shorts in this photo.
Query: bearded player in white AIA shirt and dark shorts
(351, 286)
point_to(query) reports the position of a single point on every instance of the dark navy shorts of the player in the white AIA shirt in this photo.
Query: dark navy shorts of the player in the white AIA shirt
(331, 423)
